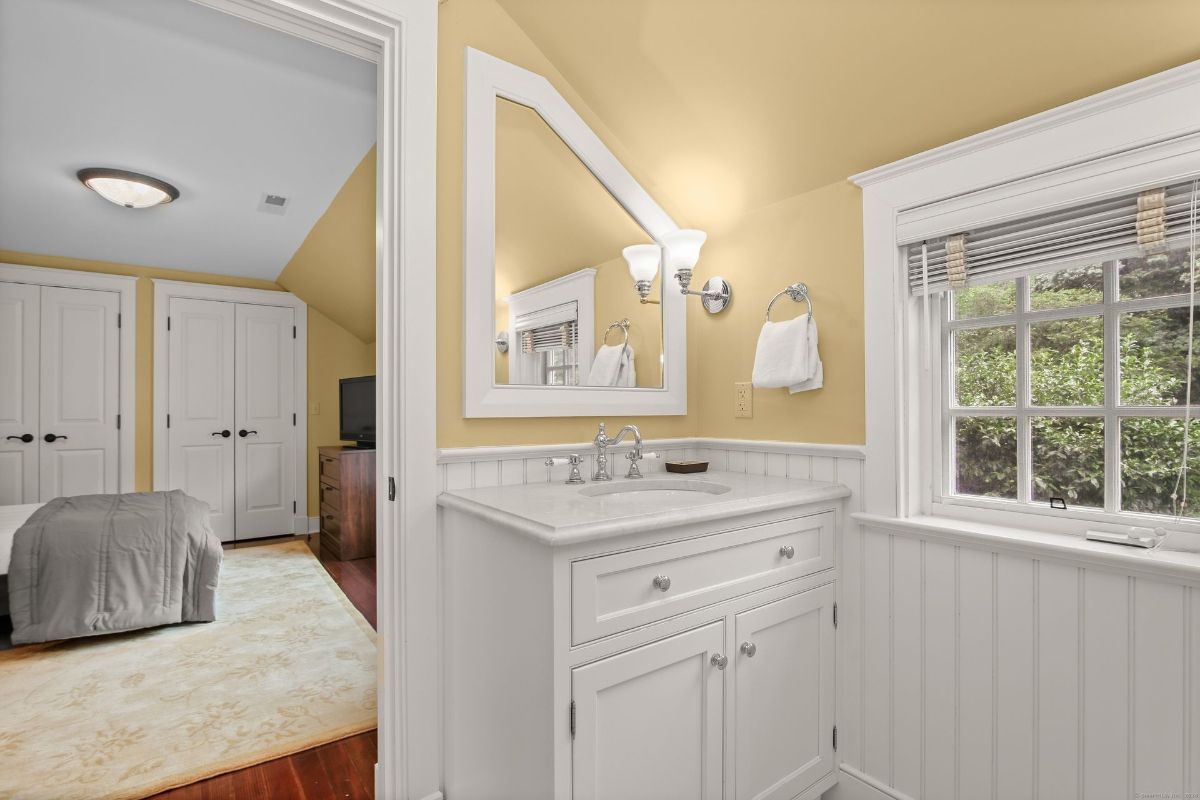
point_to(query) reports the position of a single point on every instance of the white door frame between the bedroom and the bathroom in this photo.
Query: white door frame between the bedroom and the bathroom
(401, 37)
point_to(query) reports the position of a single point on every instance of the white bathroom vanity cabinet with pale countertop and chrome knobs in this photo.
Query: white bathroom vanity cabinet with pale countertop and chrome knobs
(686, 655)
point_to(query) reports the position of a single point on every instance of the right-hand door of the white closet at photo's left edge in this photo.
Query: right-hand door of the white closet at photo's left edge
(80, 393)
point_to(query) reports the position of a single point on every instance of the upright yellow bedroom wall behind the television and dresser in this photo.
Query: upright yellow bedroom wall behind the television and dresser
(334, 353)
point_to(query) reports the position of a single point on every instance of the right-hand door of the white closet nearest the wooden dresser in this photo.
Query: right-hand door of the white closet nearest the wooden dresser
(266, 406)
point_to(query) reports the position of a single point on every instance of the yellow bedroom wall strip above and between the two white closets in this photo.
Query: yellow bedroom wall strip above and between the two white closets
(143, 401)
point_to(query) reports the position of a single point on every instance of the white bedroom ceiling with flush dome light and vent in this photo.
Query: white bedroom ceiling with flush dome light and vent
(223, 109)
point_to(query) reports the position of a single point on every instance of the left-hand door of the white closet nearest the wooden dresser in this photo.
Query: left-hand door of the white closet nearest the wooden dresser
(201, 404)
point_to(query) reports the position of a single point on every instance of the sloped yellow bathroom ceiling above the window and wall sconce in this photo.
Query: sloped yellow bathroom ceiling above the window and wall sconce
(731, 107)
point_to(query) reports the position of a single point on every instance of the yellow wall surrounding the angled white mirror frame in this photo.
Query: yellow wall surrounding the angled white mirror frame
(484, 26)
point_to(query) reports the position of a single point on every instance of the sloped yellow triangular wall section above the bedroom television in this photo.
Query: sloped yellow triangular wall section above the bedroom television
(334, 269)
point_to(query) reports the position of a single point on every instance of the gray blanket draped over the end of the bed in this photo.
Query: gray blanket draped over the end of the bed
(107, 563)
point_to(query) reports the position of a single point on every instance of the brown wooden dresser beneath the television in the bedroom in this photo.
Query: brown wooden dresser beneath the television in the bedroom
(347, 488)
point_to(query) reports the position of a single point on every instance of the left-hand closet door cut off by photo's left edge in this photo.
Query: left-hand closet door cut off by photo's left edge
(20, 305)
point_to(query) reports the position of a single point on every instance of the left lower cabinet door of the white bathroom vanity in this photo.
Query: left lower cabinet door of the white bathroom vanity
(650, 723)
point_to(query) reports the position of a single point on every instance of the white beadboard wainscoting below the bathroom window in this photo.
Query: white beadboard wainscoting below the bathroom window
(1003, 670)
